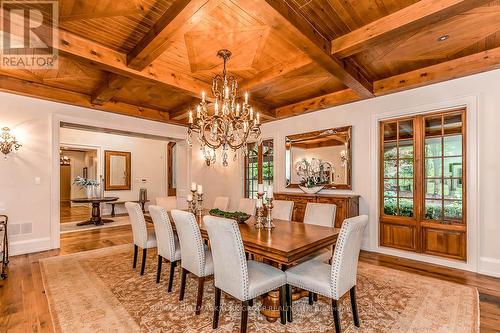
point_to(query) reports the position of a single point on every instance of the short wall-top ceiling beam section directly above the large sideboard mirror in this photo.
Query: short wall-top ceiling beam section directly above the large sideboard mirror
(317, 103)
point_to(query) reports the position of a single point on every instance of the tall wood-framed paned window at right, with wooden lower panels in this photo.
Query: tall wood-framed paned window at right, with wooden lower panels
(422, 187)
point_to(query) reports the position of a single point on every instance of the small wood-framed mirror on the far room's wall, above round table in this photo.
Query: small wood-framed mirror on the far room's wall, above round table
(117, 170)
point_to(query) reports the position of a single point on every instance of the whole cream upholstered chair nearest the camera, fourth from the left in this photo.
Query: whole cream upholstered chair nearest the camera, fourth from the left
(233, 274)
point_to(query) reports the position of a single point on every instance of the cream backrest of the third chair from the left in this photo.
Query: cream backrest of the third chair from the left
(192, 250)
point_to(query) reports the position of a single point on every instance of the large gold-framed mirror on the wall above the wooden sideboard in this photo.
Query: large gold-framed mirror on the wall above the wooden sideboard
(328, 152)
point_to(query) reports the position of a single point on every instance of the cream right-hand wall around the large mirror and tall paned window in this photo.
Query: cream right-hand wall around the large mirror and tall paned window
(480, 93)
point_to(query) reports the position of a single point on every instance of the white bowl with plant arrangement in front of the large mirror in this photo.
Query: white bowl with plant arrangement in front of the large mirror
(314, 175)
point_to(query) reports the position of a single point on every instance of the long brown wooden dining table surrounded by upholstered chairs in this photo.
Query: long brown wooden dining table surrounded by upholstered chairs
(283, 246)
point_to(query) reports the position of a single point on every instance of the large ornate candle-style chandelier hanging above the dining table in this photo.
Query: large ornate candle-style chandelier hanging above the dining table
(227, 122)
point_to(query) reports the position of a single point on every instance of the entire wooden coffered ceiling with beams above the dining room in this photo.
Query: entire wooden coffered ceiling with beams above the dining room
(152, 58)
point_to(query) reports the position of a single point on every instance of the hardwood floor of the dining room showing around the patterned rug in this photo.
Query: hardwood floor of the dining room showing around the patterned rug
(24, 306)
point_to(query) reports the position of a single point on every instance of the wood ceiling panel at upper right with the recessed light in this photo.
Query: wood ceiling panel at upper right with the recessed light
(471, 32)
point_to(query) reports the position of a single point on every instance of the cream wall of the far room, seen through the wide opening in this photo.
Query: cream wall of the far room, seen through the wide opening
(148, 162)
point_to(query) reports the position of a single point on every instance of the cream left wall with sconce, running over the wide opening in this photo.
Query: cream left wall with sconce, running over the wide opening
(36, 124)
